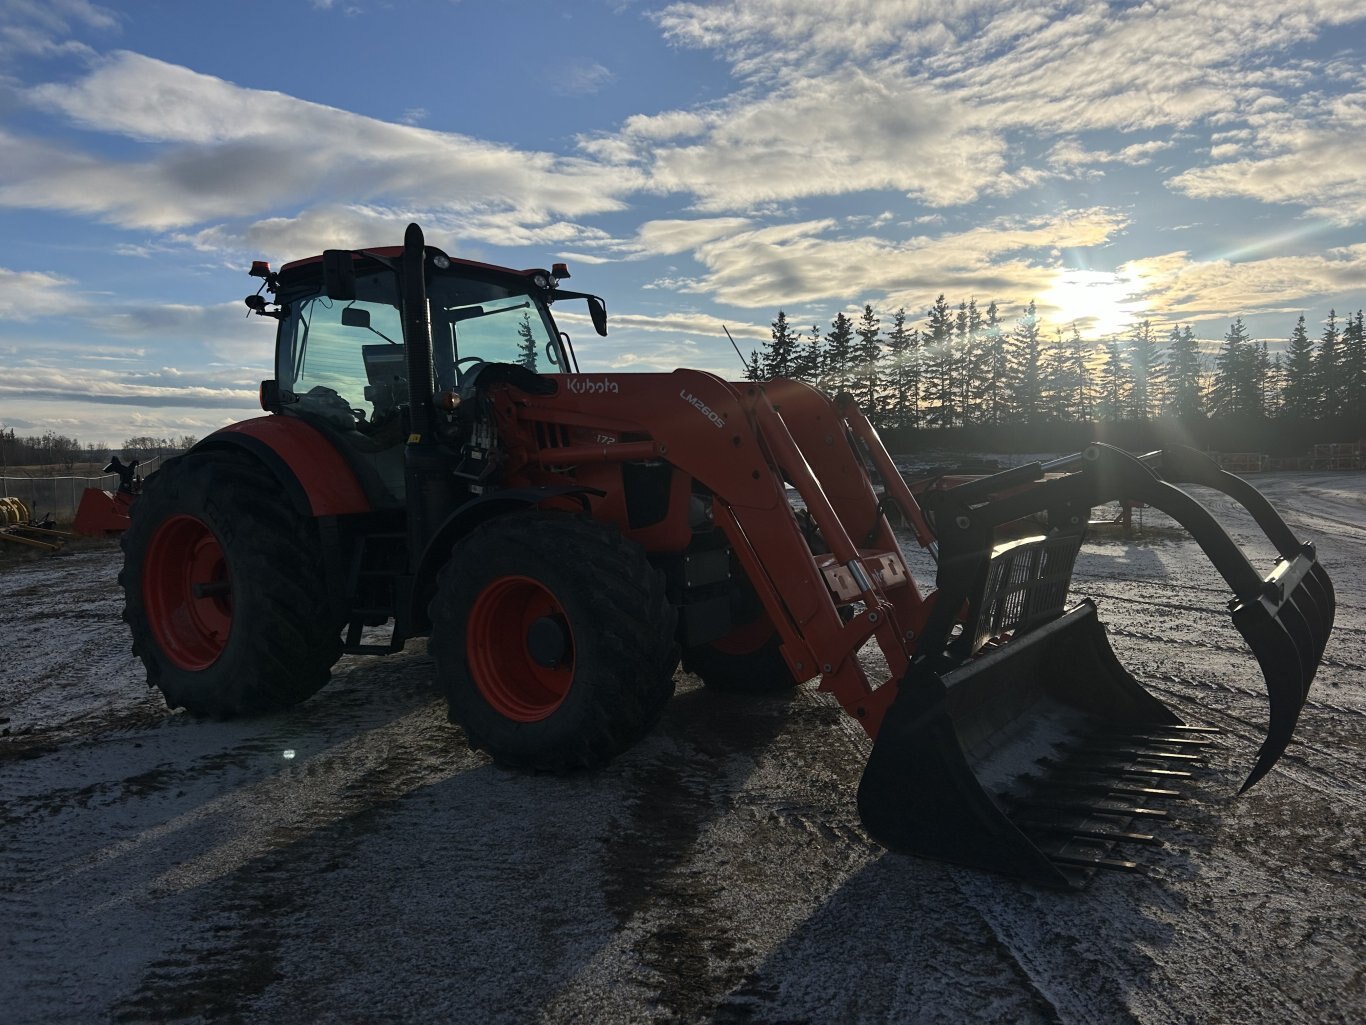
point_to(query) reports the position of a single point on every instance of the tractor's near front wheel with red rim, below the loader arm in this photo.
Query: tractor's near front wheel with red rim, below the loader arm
(554, 640)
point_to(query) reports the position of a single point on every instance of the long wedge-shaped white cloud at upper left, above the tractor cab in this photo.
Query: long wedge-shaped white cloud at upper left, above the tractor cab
(222, 152)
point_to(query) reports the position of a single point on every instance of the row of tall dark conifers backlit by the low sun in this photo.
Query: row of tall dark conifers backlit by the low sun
(965, 367)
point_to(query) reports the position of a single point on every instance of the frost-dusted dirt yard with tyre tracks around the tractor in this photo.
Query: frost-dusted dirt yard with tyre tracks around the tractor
(352, 862)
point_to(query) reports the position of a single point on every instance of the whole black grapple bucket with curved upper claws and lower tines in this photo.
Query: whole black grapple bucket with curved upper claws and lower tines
(1017, 741)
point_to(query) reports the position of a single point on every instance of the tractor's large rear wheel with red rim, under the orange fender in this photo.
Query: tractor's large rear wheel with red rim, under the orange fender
(225, 590)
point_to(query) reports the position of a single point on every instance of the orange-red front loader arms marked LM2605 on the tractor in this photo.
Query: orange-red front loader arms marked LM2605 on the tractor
(745, 443)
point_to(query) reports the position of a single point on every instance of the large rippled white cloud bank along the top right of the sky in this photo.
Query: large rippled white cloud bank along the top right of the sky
(939, 85)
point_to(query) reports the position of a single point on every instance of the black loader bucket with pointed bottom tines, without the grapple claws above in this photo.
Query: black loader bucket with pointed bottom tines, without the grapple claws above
(1024, 761)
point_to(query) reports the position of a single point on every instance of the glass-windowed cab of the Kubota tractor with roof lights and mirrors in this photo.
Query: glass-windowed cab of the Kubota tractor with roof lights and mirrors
(342, 359)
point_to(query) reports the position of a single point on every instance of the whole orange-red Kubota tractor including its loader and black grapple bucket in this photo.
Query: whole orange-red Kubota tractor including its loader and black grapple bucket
(434, 460)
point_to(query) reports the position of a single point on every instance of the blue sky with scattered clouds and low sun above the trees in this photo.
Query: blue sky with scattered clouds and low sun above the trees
(697, 165)
